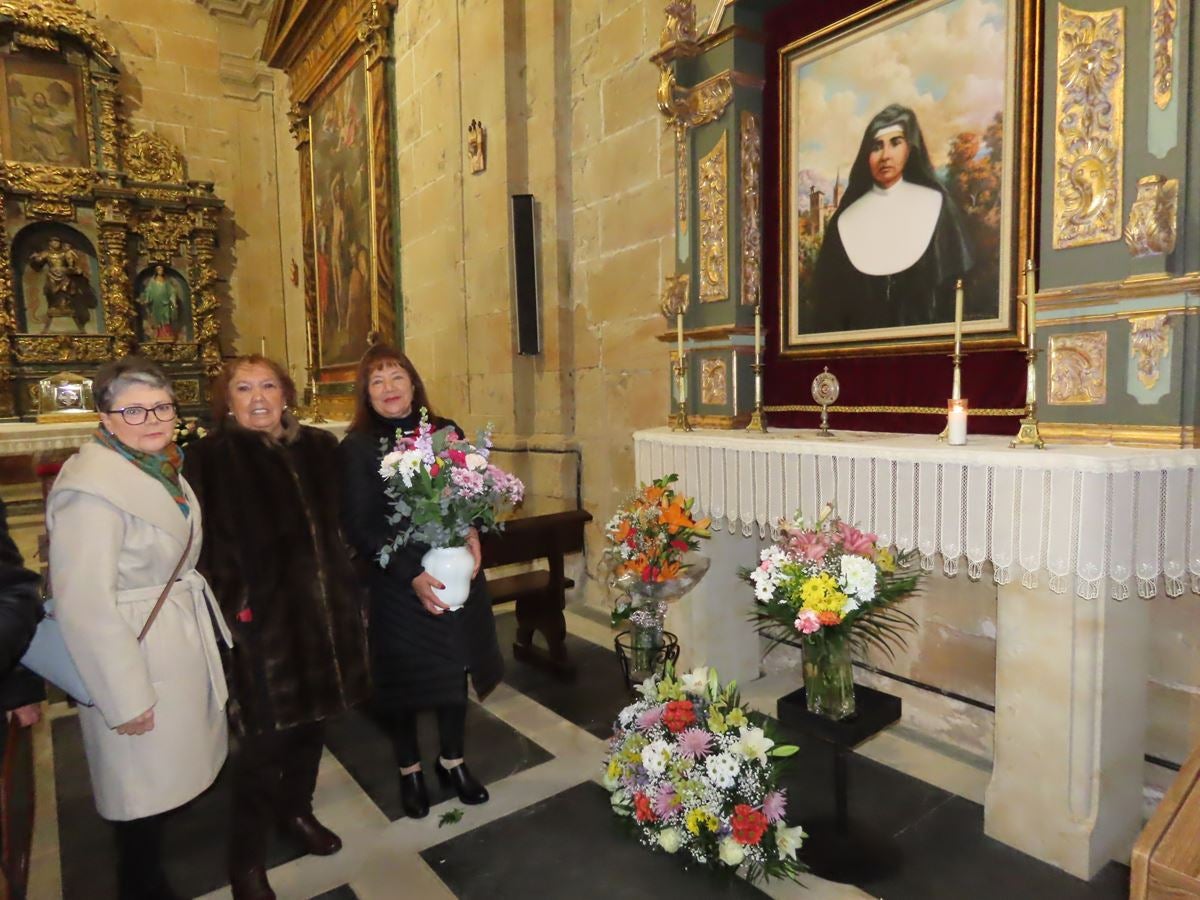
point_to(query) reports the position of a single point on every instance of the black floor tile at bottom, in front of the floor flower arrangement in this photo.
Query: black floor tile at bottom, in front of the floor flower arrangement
(572, 847)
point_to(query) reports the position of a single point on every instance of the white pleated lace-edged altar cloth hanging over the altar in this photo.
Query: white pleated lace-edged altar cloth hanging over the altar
(1099, 517)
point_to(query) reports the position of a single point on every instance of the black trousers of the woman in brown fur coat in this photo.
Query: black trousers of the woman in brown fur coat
(274, 778)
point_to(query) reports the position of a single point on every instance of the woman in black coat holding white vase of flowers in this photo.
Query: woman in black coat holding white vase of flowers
(421, 653)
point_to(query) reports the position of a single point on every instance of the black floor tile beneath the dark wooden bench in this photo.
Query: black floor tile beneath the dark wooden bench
(591, 700)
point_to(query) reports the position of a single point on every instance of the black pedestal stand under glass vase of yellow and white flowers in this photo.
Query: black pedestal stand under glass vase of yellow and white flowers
(837, 849)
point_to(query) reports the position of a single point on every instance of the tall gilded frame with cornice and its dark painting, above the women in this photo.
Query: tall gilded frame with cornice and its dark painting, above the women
(337, 53)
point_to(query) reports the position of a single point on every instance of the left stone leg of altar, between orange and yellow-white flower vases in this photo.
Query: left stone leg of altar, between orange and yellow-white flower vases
(712, 622)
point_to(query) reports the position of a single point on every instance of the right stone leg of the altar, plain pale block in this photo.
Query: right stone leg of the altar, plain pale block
(1071, 727)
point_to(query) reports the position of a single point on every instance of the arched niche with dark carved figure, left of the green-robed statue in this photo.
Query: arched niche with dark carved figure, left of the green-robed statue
(58, 281)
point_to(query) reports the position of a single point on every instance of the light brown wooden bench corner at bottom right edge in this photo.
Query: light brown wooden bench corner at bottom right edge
(1167, 856)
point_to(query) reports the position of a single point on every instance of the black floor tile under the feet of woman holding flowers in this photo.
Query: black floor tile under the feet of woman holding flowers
(494, 753)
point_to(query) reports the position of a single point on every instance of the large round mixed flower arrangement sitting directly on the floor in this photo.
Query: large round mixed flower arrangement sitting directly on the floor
(697, 777)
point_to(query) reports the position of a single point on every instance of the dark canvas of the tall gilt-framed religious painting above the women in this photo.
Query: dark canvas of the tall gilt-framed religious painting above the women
(341, 183)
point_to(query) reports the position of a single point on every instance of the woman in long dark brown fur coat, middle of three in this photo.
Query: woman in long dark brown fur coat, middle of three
(281, 572)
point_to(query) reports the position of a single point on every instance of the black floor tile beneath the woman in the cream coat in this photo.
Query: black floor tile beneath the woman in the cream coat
(195, 842)
